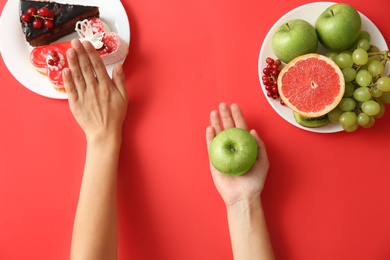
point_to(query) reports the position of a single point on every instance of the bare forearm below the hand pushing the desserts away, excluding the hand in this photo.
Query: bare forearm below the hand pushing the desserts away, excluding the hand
(95, 227)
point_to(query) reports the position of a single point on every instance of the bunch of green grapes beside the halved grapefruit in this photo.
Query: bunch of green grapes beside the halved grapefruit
(366, 88)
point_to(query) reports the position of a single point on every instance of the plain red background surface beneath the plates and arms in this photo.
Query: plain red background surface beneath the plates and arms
(326, 195)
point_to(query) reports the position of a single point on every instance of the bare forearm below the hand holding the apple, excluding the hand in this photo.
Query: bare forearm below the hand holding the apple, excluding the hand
(248, 231)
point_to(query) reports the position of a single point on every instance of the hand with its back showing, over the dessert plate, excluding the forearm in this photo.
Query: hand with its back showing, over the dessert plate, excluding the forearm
(98, 103)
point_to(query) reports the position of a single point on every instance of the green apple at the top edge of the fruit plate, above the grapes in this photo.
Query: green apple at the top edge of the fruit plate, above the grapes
(338, 27)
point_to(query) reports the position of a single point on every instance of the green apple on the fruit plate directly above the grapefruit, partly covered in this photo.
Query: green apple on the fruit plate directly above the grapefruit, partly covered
(294, 38)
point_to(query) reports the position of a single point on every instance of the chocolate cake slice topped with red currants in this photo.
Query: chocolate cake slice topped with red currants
(44, 22)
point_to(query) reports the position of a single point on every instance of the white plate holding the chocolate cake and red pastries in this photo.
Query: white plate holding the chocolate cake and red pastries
(16, 51)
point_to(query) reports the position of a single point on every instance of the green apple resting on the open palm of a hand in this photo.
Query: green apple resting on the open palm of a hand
(233, 151)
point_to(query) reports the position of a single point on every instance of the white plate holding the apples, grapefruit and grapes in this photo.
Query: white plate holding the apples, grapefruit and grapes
(310, 13)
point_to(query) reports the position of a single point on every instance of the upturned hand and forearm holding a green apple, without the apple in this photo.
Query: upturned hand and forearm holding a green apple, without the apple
(242, 194)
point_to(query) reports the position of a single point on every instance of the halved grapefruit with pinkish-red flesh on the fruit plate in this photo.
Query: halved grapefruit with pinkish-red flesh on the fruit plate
(311, 85)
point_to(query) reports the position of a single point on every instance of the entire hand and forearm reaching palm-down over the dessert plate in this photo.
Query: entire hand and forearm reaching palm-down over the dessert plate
(99, 105)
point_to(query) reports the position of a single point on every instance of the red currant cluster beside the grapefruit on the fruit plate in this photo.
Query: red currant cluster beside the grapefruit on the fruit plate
(270, 76)
